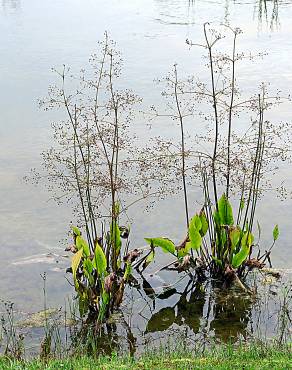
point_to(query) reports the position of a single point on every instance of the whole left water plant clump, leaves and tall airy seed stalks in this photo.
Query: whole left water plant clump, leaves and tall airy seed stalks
(93, 167)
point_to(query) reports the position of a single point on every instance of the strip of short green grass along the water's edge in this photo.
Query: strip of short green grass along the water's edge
(228, 357)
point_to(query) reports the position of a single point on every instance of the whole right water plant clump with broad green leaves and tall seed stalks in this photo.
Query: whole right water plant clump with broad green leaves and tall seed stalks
(220, 240)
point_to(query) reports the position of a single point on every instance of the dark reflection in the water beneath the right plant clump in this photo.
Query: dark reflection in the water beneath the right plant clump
(204, 308)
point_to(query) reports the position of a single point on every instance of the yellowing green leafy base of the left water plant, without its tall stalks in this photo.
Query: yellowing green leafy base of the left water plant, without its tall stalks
(100, 274)
